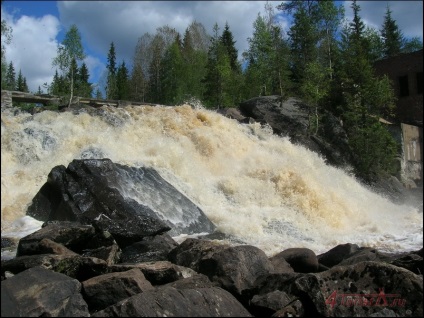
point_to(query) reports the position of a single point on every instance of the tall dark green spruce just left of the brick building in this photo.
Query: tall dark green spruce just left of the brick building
(365, 98)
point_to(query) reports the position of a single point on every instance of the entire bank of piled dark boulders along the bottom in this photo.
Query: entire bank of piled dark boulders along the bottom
(74, 270)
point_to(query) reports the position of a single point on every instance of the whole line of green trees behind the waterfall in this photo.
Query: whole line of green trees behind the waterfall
(322, 58)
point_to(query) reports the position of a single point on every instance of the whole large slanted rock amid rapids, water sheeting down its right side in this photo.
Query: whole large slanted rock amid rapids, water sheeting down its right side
(130, 203)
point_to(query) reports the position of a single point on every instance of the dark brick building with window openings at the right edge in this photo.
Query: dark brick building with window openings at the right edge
(406, 73)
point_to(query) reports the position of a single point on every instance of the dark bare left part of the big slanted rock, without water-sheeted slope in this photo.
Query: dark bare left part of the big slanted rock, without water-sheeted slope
(87, 192)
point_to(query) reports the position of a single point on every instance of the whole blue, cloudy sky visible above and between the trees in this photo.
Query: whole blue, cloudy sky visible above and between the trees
(39, 26)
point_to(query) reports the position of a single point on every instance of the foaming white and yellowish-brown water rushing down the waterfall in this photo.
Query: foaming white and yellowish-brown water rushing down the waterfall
(251, 184)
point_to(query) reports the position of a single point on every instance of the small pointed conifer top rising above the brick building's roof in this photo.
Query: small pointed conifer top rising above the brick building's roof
(392, 36)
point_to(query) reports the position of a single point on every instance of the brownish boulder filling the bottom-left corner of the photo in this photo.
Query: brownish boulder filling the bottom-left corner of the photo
(39, 292)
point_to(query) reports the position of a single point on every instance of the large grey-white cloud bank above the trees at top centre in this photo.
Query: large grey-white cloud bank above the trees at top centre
(123, 22)
